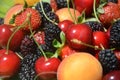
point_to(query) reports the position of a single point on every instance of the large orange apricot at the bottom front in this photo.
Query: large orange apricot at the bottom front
(80, 66)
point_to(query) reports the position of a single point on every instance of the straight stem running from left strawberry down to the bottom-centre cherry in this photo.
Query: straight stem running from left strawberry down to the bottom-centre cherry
(40, 48)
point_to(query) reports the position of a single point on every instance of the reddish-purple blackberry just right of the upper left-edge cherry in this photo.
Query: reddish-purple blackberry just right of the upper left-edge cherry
(27, 45)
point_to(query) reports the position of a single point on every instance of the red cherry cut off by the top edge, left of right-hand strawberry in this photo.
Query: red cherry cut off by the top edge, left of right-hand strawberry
(86, 5)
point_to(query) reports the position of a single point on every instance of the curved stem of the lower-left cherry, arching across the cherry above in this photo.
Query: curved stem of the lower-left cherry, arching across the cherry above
(12, 35)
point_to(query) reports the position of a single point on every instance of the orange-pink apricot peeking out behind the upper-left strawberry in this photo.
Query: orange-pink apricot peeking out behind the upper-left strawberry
(12, 11)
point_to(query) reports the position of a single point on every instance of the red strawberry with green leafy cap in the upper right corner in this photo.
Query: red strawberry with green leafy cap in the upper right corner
(111, 12)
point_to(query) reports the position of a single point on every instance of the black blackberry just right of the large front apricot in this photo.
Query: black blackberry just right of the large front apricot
(108, 60)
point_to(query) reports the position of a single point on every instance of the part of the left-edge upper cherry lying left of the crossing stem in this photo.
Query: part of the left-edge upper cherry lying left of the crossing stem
(5, 33)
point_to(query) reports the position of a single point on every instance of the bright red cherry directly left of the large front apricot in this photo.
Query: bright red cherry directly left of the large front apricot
(47, 66)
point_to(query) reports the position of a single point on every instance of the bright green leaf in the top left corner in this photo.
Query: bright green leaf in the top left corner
(4, 6)
